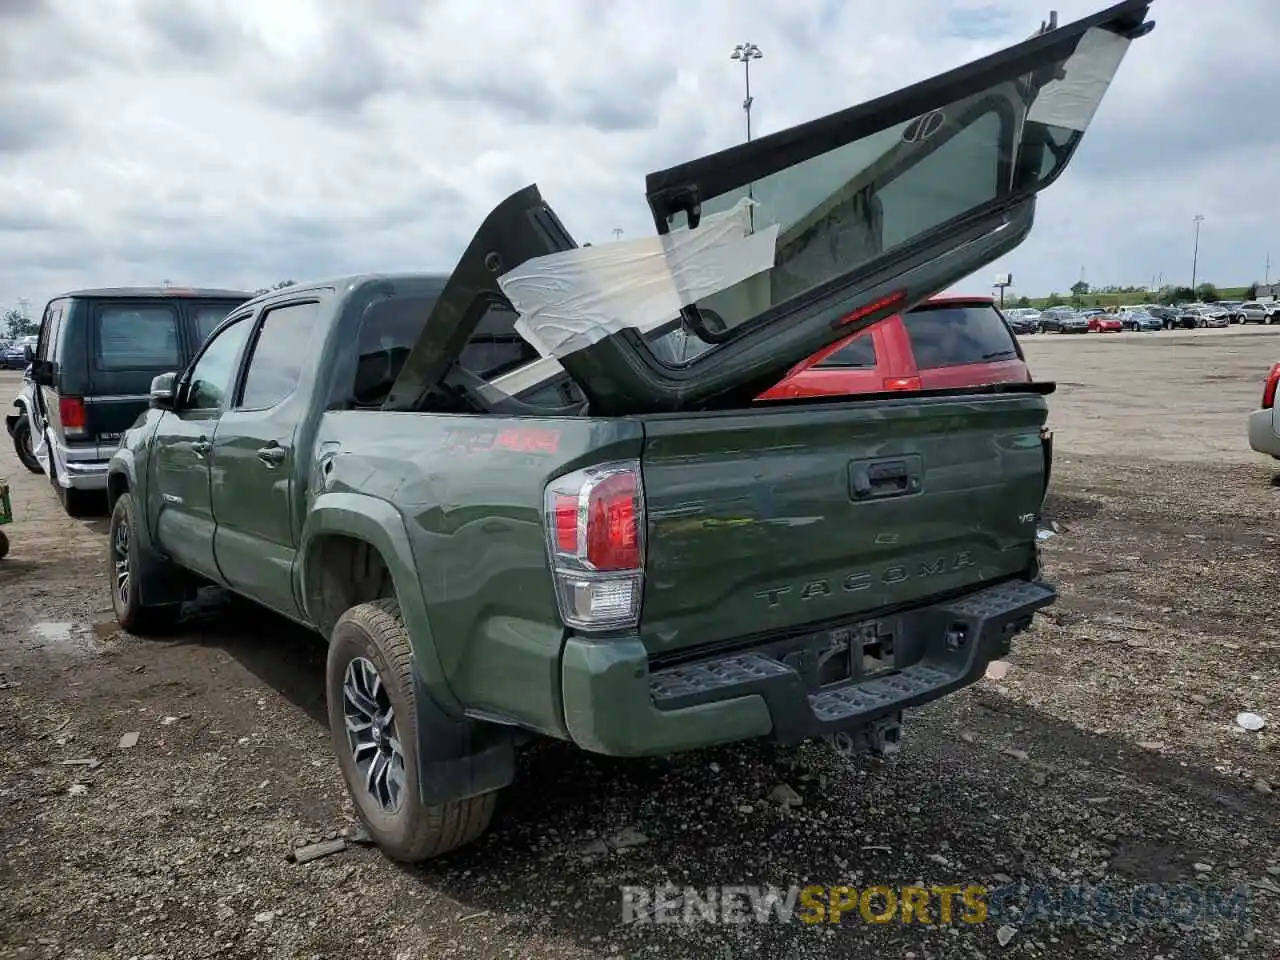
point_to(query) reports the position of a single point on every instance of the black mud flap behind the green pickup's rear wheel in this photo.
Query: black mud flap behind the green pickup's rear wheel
(460, 758)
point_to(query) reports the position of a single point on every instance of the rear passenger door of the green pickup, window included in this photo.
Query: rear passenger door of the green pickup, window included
(255, 470)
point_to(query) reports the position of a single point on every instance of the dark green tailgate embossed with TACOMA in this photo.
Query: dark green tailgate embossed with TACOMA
(771, 519)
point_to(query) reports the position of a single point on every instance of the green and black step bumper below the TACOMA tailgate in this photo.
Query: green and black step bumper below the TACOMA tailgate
(614, 705)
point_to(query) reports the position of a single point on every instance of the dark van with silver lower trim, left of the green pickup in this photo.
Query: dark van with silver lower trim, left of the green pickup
(92, 374)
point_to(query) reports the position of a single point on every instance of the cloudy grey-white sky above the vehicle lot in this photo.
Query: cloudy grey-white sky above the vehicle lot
(237, 143)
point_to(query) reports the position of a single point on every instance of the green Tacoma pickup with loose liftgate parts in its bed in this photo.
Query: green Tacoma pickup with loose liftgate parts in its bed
(514, 513)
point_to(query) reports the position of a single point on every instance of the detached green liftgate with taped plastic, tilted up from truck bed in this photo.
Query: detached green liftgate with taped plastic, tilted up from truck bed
(863, 214)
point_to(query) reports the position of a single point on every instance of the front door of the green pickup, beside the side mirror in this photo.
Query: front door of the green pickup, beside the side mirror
(180, 502)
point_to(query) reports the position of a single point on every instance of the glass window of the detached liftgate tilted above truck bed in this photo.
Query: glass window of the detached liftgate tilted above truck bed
(844, 209)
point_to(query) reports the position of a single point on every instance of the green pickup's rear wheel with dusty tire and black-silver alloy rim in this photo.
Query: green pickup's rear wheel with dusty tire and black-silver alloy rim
(406, 829)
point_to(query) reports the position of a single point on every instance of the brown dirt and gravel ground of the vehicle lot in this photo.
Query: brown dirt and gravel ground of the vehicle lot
(1108, 756)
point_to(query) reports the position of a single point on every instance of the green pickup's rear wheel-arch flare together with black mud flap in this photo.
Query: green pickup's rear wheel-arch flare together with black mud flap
(456, 757)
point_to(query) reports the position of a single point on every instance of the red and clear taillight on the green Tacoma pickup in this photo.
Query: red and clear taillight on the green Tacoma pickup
(596, 537)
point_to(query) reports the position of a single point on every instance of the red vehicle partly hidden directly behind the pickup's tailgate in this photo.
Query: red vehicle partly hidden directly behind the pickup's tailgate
(945, 342)
